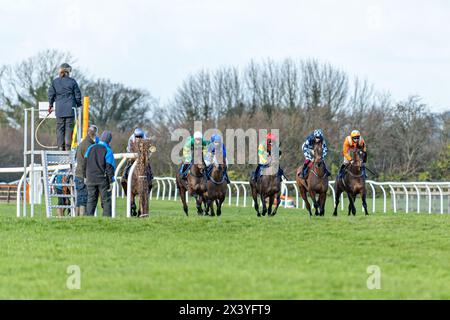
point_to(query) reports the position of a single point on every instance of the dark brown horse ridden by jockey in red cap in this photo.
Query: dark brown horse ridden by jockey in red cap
(267, 186)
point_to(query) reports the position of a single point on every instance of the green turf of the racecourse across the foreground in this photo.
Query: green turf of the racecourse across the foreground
(236, 256)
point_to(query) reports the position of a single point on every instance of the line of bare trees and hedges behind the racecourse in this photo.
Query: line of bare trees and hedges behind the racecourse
(405, 140)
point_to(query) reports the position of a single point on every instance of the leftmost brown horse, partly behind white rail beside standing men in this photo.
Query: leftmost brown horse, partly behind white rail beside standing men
(142, 177)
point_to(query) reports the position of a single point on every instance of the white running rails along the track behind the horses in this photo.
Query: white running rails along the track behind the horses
(420, 197)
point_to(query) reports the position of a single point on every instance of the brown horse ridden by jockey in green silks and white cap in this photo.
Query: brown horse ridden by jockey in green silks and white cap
(195, 183)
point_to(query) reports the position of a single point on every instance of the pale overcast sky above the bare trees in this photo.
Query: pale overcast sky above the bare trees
(402, 46)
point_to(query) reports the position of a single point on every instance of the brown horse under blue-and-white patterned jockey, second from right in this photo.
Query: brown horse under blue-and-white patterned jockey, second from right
(316, 182)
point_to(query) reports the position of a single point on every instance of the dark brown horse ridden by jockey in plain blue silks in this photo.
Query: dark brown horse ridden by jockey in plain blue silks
(216, 188)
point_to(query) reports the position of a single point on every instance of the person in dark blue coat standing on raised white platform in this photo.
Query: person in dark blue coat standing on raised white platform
(65, 93)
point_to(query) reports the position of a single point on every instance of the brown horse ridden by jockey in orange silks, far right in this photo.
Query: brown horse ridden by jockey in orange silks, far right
(353, 183)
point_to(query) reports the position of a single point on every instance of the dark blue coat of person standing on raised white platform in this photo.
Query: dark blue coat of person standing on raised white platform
(67, 95)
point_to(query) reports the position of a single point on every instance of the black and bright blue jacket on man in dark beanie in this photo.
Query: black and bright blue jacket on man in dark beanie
(100, 164)
